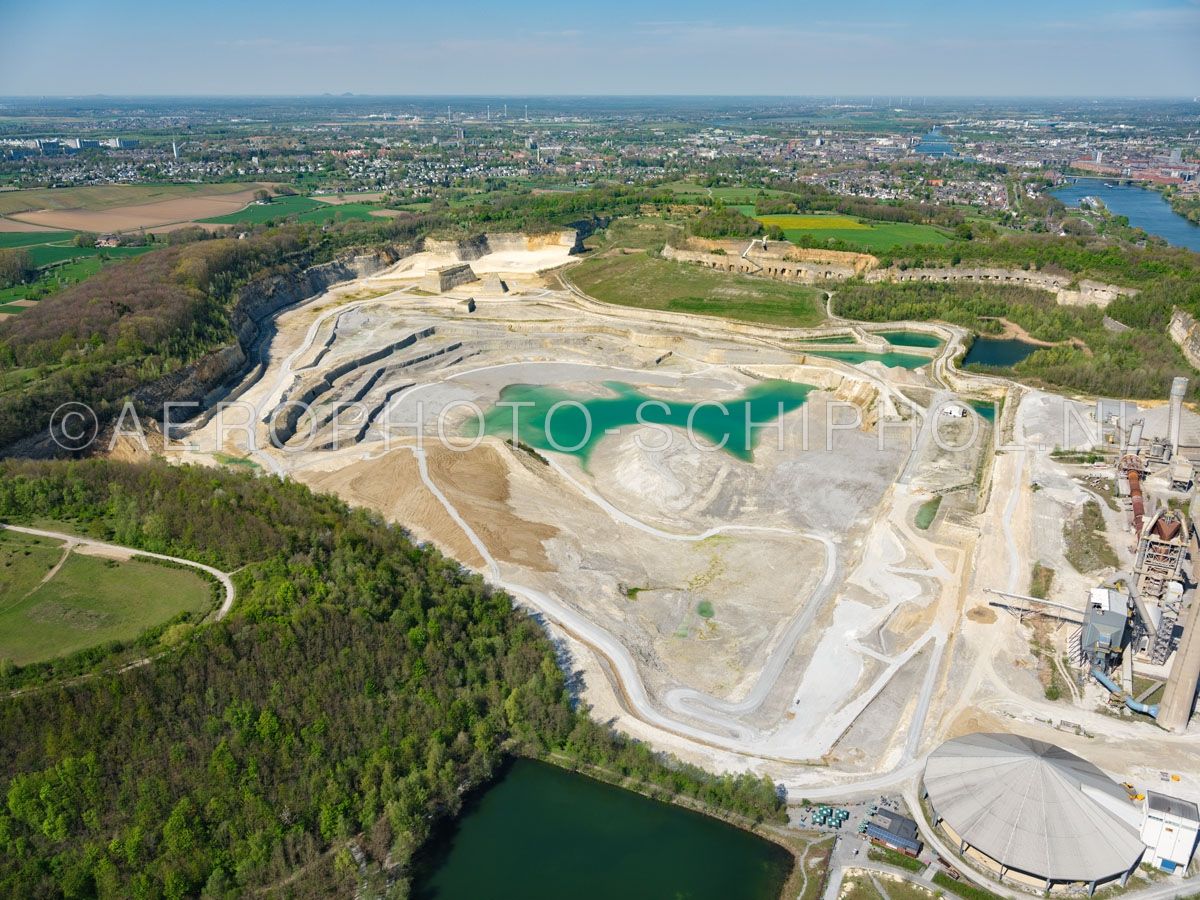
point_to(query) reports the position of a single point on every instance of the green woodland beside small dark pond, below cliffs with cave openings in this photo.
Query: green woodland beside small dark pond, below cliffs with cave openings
(1139, 363)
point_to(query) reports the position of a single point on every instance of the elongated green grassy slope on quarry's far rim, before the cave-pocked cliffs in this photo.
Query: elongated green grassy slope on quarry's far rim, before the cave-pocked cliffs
(653, 284)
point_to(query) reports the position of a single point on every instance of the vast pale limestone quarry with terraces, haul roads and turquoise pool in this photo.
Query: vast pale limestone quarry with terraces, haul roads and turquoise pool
(823, 603)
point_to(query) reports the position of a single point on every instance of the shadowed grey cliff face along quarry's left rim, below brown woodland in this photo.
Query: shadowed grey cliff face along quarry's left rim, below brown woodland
(205, 381)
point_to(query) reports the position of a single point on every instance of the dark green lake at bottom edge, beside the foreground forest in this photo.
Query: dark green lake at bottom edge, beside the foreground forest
(542, 833)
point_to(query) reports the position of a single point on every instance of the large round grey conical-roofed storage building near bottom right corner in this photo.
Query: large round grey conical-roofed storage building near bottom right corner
(1033, 813)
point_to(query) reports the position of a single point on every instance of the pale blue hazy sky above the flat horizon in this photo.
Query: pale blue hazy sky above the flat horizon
(851, 47)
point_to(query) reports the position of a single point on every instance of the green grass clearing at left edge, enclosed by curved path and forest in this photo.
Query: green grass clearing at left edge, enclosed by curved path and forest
(89, 602)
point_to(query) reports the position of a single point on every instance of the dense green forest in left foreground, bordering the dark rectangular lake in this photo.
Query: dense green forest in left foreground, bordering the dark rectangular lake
(362, 686)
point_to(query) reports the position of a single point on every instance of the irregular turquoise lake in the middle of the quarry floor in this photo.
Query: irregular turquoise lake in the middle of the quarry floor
(554, 419)
